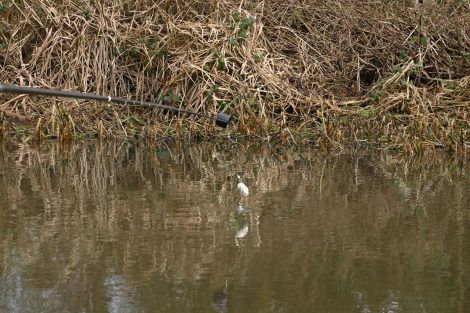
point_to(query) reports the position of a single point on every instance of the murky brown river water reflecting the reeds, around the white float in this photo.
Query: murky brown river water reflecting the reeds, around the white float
(118, 227)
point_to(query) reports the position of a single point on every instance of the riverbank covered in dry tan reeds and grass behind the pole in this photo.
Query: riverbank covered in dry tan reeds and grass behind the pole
(392, 73)
